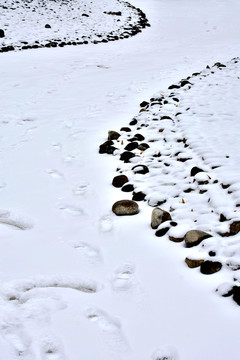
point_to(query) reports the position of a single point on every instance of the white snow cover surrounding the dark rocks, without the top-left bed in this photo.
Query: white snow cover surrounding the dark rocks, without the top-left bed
(77, 281)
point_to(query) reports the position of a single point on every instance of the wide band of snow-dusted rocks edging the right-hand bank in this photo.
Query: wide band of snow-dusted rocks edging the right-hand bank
(144, 156)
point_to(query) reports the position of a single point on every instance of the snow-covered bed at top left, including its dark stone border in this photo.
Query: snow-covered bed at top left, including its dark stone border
(61, 23)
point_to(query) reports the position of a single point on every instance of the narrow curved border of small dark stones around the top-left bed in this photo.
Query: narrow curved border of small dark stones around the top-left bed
(125, 31)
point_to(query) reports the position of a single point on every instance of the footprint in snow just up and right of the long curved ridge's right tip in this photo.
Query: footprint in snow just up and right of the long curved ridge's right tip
(123, 278)
